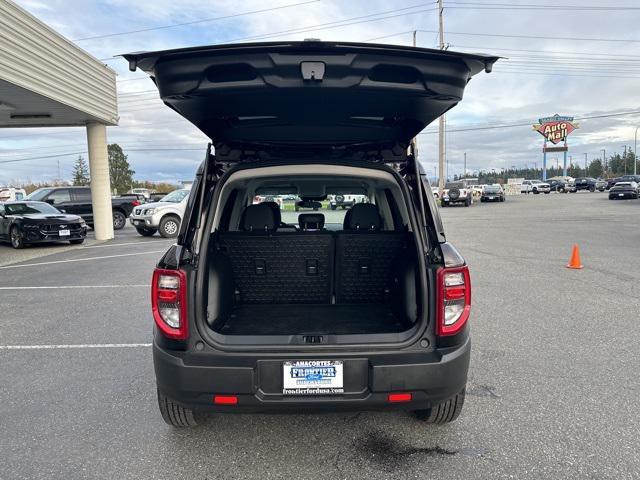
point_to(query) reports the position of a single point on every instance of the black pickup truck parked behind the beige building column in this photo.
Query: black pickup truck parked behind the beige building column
(77, 201)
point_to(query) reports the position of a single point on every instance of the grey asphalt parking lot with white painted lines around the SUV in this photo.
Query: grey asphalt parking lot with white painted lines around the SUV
(553, 388)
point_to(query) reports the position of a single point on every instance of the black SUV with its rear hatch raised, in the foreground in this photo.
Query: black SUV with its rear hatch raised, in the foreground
(366, 311)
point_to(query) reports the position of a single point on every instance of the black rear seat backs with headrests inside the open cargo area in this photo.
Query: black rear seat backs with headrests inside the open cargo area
(301, 267)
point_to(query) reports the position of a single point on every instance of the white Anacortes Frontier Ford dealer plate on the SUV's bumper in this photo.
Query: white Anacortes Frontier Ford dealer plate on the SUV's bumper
(312, 377)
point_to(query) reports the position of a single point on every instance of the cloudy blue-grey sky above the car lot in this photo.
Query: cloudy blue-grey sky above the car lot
(595, 72)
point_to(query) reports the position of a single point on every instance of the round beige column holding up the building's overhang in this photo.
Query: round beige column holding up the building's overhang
(100, 182)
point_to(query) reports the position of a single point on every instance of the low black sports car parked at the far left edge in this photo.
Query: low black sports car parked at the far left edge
(26, 222)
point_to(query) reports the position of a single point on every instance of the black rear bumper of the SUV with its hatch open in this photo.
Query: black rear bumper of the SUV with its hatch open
(192, 379)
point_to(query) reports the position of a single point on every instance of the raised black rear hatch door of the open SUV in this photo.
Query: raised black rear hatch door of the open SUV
(262, 100)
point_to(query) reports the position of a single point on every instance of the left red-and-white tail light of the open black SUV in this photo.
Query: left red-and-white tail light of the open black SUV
(169, 302)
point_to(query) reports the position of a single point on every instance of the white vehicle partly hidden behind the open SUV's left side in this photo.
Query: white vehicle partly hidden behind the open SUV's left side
(164, 216)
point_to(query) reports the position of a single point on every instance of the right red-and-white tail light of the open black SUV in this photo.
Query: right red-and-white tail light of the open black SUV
(454, 300)
